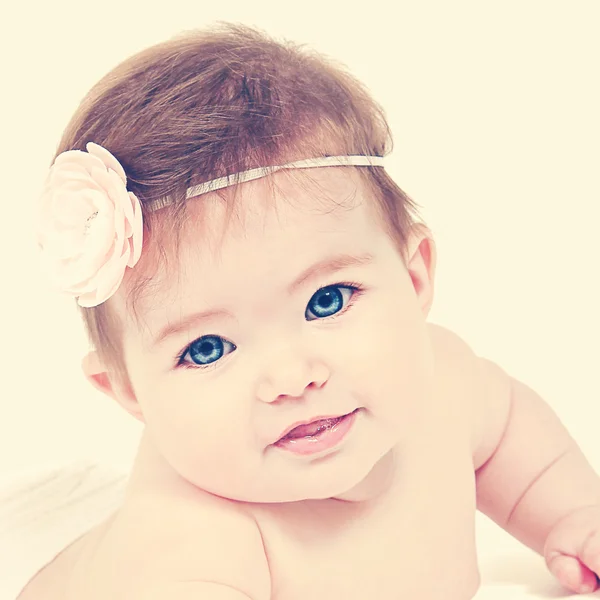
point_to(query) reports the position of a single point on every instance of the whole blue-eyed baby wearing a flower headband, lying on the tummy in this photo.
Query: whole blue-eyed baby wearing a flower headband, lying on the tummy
(307, 434)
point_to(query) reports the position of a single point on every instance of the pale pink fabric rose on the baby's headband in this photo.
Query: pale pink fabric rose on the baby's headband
(89, 226)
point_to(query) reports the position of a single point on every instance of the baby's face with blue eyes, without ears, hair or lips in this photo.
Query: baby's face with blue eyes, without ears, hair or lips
(277, 329)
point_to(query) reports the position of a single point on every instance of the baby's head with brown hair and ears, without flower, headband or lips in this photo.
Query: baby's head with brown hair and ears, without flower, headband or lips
(295, 296)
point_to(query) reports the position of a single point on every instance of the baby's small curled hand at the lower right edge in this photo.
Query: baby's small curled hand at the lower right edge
(572, 550)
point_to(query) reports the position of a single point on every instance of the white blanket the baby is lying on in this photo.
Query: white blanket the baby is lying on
(44, 510)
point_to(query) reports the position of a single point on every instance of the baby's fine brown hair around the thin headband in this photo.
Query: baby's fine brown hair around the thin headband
(210, 103)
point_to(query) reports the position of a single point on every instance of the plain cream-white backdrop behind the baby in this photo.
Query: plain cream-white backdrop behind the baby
(494, 107)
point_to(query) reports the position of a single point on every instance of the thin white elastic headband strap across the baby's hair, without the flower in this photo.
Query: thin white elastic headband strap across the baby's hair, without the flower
(222, 182)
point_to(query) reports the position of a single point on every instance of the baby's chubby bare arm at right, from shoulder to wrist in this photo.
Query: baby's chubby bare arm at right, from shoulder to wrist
(530, 471)
